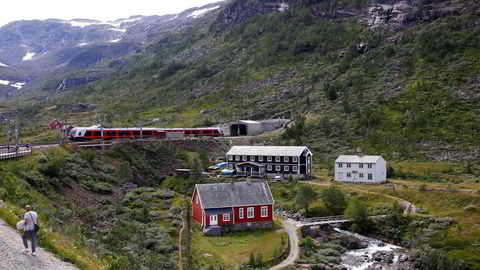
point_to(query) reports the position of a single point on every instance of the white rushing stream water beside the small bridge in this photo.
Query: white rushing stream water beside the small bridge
(361, 259)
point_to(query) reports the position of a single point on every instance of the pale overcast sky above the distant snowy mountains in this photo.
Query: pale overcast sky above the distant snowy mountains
(13, 10)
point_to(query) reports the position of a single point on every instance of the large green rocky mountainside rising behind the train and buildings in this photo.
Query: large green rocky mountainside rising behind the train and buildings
(394, 77)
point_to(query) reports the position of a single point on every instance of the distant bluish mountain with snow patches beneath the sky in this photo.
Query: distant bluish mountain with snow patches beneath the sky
(79, 51)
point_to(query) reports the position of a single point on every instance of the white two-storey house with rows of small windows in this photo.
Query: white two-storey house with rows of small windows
(360, 169)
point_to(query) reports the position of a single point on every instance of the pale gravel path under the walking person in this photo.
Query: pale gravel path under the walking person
(12, 258)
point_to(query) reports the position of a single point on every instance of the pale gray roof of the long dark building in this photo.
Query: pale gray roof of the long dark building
(292, 151)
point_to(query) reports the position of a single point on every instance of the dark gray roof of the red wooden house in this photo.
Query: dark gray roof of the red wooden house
(222, 195)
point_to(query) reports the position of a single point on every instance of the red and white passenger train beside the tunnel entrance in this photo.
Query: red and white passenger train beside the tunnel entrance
(95, 133)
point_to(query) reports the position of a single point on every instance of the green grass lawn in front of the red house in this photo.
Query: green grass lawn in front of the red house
(234, 248)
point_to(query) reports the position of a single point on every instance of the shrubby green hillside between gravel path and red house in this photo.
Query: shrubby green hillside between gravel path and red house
(98, 211)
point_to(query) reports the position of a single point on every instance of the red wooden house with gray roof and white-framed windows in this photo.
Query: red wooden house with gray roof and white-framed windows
(233, 206)
